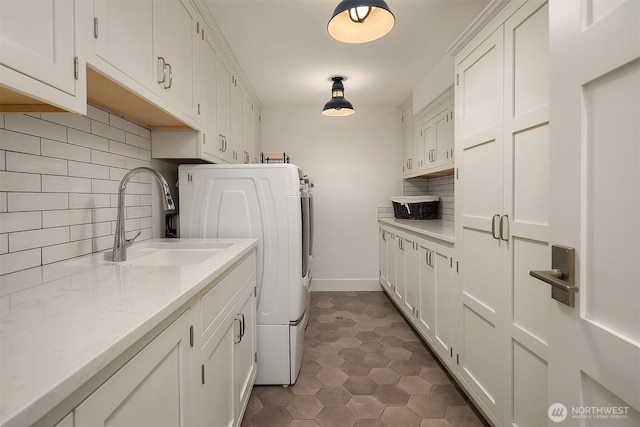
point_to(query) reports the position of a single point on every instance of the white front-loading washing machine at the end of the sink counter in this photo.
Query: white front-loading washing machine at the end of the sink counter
(270, 202)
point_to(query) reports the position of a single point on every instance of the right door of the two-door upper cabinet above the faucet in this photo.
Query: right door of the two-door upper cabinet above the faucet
(175, 39)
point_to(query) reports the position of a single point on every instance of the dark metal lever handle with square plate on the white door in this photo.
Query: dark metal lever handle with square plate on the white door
(561, 277)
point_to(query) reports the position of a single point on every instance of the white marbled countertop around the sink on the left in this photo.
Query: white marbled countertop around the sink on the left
(57, 335)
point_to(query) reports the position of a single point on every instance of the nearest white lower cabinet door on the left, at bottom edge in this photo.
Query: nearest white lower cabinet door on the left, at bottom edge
(152, 389)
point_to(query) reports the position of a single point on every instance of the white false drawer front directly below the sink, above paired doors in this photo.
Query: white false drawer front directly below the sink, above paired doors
(219, 299)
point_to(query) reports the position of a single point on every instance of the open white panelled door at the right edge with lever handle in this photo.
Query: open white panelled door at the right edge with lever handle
(594, 351)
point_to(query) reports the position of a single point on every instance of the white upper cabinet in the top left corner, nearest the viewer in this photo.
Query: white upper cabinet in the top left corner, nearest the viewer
(38, 56)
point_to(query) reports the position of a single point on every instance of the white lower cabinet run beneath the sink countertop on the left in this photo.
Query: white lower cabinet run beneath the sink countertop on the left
(170, 383)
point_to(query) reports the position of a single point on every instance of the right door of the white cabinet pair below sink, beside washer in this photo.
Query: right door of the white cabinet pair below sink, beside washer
(245, 353)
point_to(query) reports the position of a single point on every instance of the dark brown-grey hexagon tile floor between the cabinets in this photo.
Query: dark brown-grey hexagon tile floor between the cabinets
(362, 366)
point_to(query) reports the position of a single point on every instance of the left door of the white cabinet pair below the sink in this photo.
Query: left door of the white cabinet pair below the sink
(217, 383)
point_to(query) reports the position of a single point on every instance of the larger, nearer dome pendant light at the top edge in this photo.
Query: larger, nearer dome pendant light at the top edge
(360, 21)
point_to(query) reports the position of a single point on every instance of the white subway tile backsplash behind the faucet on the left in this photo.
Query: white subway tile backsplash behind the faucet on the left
(59, 175)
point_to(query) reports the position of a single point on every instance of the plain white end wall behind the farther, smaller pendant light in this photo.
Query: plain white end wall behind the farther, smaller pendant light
(356, 165)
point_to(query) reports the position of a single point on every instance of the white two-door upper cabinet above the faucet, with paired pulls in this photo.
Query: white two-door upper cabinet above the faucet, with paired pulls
(150, 48)
